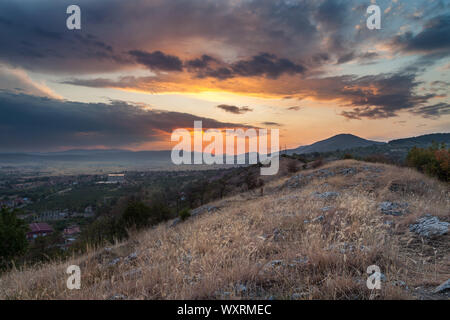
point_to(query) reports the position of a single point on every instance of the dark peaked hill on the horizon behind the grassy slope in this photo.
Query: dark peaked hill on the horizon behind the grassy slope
(338, 142)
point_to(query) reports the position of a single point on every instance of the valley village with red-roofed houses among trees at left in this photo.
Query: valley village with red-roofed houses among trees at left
(42, 213)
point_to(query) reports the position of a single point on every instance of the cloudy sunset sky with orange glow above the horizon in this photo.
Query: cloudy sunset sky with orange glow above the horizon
(139, 69)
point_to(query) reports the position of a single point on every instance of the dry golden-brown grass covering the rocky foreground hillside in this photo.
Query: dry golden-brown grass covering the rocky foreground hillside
(256, 247)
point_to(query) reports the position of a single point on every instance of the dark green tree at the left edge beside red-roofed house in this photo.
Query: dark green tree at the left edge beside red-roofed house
(13, 240)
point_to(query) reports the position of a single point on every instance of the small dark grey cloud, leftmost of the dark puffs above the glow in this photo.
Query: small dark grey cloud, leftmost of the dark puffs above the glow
(157, 60)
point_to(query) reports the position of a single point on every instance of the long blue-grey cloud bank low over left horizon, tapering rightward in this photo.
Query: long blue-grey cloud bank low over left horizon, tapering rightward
(34, 123)
